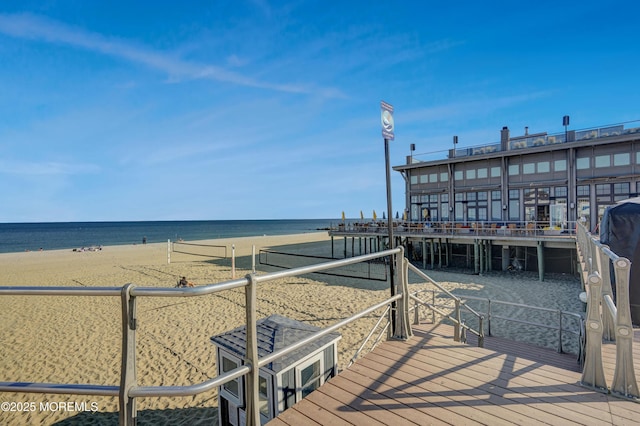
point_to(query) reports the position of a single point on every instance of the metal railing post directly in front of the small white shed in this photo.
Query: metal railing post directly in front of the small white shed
(252, 395)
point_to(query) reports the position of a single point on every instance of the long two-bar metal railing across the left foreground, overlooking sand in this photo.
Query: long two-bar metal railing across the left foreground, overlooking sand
(128, 390)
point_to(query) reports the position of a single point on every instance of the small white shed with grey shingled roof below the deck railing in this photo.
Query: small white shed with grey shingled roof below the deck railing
(283, 382)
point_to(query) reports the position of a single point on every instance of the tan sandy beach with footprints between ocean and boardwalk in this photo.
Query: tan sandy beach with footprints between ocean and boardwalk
(77, 339)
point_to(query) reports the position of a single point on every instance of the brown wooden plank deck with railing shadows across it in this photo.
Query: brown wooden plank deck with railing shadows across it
(432, 380)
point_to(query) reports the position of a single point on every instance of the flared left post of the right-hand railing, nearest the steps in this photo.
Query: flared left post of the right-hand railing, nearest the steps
(593, 372)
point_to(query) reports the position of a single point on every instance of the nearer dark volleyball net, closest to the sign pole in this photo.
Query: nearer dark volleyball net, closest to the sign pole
(370, 270)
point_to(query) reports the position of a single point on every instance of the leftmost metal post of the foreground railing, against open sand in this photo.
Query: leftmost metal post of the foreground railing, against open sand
(127, 415)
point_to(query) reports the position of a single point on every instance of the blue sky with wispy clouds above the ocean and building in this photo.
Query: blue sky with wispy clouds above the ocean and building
(265, 110)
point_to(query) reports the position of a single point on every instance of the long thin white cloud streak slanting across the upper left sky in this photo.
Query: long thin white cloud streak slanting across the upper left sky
(32, 27)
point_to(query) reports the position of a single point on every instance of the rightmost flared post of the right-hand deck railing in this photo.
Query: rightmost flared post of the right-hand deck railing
(624, 379)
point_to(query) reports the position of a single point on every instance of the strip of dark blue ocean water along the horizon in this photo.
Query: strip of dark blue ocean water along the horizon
(17, 237)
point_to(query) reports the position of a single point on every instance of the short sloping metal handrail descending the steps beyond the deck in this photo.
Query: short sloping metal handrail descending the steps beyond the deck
(459, 326)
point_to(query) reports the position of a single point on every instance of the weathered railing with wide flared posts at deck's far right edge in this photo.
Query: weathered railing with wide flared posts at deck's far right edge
(606, 318)
